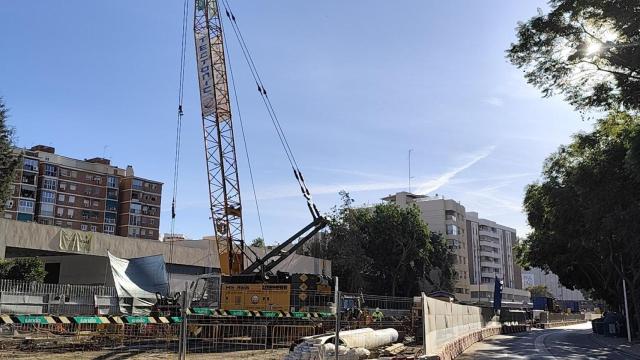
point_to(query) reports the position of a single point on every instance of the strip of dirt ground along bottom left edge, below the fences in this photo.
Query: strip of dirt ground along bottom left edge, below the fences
(276, 354)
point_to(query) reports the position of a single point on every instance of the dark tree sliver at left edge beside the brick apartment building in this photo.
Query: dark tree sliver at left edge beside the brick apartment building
(8, 160)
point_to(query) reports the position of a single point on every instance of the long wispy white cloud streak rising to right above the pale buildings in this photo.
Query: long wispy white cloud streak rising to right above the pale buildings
(422, 186)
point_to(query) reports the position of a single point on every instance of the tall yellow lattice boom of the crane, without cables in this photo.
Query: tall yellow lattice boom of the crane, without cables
(220, 152)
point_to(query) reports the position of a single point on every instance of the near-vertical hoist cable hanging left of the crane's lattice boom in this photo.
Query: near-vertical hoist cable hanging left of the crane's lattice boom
(176, 174)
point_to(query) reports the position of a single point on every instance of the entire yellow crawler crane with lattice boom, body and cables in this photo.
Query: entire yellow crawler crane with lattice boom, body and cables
(257, 286)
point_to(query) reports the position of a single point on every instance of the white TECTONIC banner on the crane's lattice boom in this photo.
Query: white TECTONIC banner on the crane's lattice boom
(205, 73)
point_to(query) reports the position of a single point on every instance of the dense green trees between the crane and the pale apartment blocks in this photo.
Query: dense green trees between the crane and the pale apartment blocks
(386, 250)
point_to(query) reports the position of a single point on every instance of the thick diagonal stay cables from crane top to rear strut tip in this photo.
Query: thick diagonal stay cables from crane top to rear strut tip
(271, 111)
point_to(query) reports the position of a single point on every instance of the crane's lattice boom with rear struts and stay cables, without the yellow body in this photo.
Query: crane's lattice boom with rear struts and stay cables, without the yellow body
(220, 152)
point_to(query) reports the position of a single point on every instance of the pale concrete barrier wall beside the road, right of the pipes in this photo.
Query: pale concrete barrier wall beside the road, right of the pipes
(444, 323)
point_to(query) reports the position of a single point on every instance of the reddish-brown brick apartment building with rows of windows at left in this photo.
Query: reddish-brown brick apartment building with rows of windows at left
(87, 195)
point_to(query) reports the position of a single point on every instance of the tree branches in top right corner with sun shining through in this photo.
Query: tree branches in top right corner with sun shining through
(589, 50)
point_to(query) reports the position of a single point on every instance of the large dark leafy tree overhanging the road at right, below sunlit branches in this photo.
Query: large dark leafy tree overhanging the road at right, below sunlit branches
(584, 213)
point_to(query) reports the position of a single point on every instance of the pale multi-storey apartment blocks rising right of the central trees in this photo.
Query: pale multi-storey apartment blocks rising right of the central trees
(483, 249)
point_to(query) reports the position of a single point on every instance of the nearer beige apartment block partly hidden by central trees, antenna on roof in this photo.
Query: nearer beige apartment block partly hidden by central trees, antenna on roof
(447, 217)
